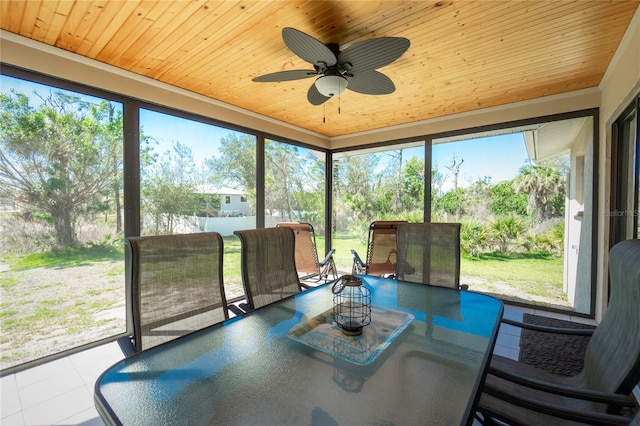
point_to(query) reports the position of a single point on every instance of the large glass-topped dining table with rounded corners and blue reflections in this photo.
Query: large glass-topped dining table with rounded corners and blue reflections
(421, 360)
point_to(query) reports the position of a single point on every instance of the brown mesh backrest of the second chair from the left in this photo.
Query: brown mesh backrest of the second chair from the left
(268, 265)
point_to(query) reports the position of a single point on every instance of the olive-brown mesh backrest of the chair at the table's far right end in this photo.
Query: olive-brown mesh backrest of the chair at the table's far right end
(429, 253)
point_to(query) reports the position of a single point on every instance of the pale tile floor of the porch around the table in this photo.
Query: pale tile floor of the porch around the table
(61, 392)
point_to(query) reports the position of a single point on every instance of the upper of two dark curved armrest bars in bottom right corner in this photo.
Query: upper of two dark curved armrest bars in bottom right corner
(584, 394)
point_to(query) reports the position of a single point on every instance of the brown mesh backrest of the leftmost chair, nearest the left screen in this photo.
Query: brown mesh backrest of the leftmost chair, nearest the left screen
(174, 286)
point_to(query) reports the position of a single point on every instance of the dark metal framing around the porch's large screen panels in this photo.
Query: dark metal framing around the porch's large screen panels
(131, 161)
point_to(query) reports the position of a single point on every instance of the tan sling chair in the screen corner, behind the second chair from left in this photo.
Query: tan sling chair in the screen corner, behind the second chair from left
(307, 263)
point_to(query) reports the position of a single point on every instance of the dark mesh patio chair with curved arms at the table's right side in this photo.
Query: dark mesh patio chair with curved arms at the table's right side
(517, 393)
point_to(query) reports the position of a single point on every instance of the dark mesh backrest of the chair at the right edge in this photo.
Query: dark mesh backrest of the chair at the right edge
(612, 358)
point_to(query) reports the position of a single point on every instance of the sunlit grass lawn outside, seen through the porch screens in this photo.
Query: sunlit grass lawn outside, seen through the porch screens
(61, 297)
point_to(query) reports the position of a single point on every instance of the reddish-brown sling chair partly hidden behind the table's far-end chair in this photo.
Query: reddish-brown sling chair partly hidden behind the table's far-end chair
(381, 250)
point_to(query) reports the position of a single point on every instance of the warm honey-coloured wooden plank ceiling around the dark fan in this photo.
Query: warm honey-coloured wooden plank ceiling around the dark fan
(464, 54)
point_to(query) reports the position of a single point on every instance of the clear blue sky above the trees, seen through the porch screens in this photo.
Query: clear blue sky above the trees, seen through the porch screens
(499, 157)
